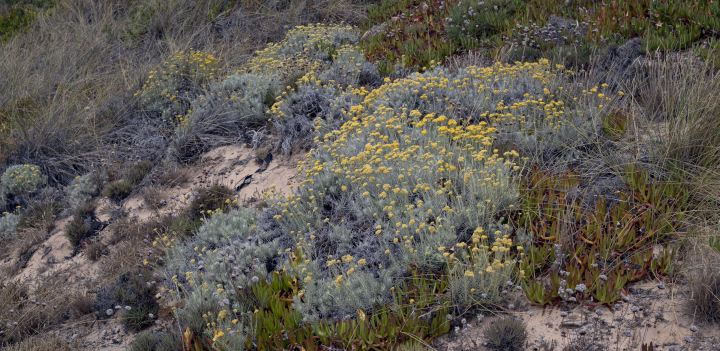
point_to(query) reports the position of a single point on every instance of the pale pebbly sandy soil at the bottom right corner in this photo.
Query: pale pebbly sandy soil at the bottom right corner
(662, 320)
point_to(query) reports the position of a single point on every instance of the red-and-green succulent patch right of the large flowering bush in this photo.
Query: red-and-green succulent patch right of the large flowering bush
(646, 215)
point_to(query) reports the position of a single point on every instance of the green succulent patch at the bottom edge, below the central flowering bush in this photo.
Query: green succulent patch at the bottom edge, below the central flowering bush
(279, 327)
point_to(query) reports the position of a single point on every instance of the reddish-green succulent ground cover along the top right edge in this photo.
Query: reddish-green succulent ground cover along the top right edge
(417, 32)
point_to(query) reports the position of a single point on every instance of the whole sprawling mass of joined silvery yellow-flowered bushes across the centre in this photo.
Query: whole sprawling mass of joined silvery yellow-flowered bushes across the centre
(405, 176)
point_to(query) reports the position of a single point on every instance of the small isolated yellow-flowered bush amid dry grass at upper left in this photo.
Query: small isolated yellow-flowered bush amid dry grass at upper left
(169, 90)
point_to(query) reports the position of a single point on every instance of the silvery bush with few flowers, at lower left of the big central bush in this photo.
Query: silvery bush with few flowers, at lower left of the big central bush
(218, 265)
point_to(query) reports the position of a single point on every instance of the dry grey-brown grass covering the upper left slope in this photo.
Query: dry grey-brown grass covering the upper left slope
(68, 83)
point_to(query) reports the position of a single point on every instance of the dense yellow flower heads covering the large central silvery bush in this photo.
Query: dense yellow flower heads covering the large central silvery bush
(417, 174)
